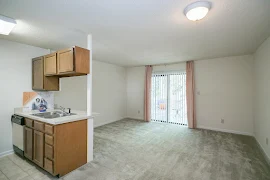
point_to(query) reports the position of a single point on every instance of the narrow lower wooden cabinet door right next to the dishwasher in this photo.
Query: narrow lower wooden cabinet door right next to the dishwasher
(28, 143)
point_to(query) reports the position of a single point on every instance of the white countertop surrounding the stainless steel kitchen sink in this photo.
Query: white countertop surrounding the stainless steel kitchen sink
(80, 115)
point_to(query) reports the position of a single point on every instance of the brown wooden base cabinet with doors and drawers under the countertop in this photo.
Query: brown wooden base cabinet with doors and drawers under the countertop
(59, 149)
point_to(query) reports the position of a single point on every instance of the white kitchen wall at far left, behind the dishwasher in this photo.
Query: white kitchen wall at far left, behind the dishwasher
(16, 77)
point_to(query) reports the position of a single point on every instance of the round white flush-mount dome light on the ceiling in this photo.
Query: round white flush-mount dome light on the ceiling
(198, 10)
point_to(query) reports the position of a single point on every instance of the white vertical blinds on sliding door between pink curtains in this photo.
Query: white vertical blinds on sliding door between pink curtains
(168, 98)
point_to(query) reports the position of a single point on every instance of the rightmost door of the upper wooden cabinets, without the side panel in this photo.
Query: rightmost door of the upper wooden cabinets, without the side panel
(65, 61)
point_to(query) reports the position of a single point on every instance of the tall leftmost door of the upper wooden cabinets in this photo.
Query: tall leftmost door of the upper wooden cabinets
(37, 76)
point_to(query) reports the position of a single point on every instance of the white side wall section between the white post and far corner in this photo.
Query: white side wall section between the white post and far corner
(109, 92)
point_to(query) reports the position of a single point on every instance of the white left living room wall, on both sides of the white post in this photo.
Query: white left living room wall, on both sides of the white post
(109, 93)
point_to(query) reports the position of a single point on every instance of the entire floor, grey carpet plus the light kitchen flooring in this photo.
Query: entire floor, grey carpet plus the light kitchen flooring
(135, 150)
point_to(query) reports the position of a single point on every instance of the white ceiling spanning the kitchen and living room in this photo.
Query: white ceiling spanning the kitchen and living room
(133, 33)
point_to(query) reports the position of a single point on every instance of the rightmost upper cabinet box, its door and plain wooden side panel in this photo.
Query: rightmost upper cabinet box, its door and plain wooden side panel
(73, 61)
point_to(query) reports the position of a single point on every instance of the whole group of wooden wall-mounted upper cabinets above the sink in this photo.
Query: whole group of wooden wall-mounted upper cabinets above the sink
(47, 69)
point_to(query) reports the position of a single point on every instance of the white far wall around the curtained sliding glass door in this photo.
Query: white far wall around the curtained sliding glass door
(225, 86)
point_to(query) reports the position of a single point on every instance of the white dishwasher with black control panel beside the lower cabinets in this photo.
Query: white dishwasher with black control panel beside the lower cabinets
(18, 134)
